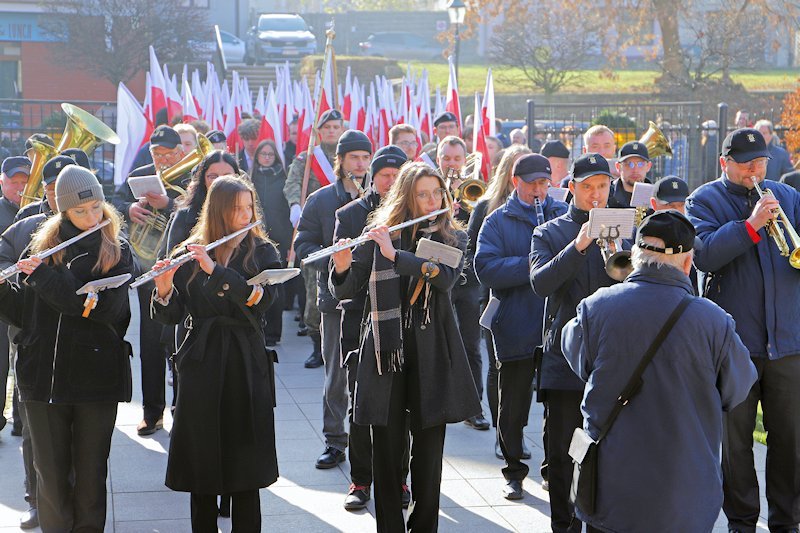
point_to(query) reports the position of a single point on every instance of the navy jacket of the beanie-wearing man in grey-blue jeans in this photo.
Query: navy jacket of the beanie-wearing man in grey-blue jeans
(315, 231)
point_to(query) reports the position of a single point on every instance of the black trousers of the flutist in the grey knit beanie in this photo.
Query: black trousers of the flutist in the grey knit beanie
(71, 444)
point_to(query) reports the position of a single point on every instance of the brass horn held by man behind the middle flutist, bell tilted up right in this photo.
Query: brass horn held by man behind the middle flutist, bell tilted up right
(146, 238)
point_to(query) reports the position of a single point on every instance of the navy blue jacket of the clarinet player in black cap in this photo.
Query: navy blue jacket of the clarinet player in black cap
(501, 263)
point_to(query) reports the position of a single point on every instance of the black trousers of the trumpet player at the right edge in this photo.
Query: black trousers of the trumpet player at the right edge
(777, 389)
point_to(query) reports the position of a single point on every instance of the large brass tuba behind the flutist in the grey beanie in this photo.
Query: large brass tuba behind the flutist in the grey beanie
(83, 131)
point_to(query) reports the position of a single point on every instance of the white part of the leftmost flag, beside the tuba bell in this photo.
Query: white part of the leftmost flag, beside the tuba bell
(132, 129)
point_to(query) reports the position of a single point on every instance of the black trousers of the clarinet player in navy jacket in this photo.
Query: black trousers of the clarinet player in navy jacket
(516, 382)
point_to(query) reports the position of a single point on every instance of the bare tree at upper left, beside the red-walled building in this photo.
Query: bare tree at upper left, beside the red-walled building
(110, 38)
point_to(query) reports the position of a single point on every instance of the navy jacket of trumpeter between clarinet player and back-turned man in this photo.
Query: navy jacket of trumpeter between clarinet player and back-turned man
(564, 276)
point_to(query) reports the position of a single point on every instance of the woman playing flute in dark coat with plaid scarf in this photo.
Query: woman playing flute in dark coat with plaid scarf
(411, 357)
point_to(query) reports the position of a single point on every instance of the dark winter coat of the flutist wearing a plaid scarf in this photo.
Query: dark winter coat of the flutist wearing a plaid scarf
(447, 390)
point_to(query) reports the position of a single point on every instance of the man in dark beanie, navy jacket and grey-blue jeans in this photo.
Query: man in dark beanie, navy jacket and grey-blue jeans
(314, 232)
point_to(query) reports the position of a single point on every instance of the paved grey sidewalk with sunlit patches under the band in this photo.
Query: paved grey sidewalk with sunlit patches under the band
(304, 498)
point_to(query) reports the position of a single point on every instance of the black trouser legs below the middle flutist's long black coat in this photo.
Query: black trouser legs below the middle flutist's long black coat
(245, 512)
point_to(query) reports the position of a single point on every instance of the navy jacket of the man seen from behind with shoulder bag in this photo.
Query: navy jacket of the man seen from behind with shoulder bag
(671, 431)
